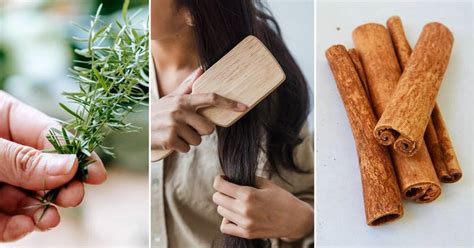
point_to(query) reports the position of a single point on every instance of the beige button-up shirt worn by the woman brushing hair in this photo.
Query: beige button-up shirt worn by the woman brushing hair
(182, 211)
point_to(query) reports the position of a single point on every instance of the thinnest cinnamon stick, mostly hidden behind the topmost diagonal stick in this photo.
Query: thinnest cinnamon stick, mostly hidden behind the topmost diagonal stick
(440, 159)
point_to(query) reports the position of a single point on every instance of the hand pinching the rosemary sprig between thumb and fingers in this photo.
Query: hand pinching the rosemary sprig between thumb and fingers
(23, 168)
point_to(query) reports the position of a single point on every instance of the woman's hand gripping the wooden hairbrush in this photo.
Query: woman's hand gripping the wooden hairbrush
(178, 125)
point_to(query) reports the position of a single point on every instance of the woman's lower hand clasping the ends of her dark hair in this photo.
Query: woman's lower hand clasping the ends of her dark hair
(266, 211)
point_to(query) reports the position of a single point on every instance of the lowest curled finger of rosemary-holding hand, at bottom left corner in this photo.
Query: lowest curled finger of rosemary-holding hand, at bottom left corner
(15, 227)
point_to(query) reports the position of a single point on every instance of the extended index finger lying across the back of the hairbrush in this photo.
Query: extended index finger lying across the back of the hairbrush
(198, 101)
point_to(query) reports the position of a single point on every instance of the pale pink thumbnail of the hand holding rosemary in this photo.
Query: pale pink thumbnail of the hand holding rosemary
(59, 164)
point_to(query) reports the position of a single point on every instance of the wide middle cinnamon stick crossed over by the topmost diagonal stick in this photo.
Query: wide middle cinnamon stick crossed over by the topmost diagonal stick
(416, 175)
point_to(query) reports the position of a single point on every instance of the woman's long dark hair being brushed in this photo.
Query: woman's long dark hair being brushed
(274, 125)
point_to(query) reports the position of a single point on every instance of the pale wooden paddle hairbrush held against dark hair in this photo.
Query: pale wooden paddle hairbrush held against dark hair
(247, 74)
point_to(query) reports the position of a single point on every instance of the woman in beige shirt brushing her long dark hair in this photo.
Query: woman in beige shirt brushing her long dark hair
(267, 158)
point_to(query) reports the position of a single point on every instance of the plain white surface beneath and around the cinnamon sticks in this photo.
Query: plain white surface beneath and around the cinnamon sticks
(448, 221)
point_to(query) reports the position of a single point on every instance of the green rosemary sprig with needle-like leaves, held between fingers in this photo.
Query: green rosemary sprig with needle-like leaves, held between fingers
(113, 82)
